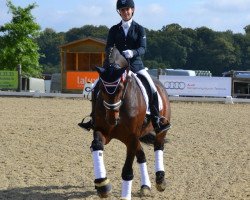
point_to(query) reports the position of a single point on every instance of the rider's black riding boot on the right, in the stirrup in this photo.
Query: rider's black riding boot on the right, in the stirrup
(156, 119)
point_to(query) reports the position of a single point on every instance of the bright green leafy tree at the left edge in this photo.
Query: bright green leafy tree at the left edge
(18, 44)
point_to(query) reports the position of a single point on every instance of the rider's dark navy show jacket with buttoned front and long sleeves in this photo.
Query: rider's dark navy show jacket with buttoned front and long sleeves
(135, 41)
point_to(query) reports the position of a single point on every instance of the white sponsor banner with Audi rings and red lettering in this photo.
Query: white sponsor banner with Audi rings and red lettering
(197, 85)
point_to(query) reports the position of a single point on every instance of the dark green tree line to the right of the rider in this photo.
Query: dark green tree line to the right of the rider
(199, 49)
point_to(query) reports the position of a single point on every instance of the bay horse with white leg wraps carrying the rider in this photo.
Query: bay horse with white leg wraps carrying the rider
(120, 113)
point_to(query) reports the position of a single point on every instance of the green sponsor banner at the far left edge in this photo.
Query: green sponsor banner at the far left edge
(8, 80)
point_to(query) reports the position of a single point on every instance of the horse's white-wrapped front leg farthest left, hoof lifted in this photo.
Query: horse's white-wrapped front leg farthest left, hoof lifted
(102, 184)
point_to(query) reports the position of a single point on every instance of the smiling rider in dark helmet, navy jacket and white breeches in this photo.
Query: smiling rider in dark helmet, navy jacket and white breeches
(130, 39)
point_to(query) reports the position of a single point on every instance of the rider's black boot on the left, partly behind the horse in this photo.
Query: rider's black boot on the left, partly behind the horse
(90, 124)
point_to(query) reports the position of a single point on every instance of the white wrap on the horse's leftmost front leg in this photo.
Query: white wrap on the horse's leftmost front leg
(99, 168)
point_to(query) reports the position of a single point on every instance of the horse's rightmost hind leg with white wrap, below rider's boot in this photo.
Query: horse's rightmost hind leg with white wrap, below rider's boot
(159, 165)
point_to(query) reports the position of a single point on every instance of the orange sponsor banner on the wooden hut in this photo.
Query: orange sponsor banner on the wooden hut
(77, 80)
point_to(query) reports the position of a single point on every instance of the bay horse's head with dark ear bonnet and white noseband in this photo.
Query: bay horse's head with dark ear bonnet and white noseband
(112, 88)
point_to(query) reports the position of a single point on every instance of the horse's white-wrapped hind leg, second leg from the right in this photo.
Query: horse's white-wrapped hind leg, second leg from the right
(145, 181)
